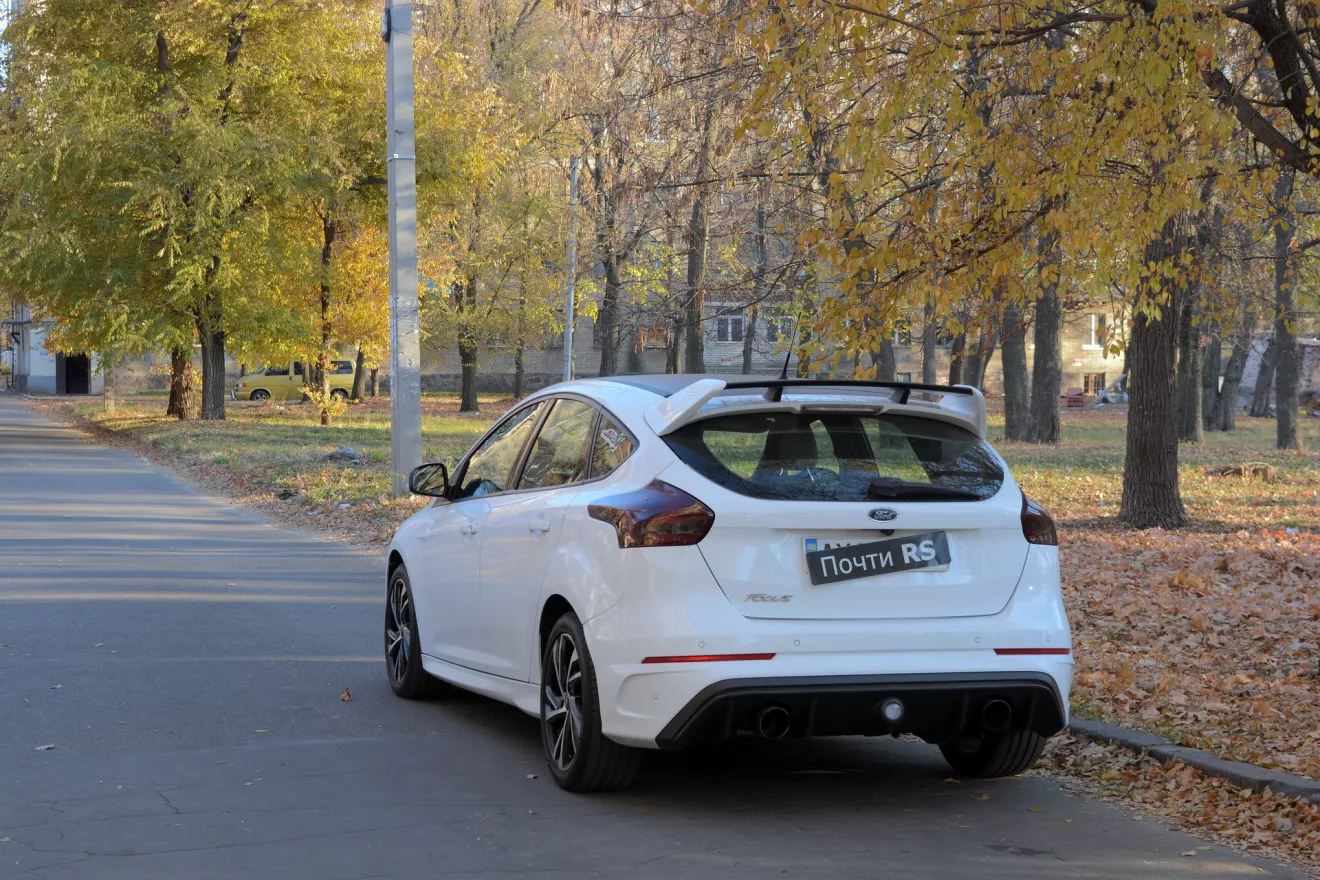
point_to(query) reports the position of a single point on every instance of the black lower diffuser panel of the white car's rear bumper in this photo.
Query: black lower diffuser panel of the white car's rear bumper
(937, 708)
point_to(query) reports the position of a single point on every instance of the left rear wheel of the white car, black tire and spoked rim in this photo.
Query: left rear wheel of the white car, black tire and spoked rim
(581, 758)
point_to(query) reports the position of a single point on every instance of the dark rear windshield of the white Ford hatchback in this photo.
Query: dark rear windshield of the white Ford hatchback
(840, 457)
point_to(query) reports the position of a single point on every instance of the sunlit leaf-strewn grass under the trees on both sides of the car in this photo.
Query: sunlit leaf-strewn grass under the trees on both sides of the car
(282, 448)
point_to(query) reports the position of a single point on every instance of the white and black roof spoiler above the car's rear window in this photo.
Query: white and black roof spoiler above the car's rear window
(964, 403)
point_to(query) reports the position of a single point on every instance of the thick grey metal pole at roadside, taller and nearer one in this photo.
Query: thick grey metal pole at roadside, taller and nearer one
(402, 164)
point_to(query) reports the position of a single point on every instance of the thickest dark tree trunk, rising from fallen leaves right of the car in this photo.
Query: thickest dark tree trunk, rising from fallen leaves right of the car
(1150, 470)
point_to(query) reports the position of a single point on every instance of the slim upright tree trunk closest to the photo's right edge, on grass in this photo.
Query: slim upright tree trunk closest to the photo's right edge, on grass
(1288, 369)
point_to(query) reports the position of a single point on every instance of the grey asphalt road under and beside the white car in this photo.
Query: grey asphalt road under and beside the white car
(185, 662)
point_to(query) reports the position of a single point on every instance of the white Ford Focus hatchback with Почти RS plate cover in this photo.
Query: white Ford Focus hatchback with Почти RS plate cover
(659, 561)
